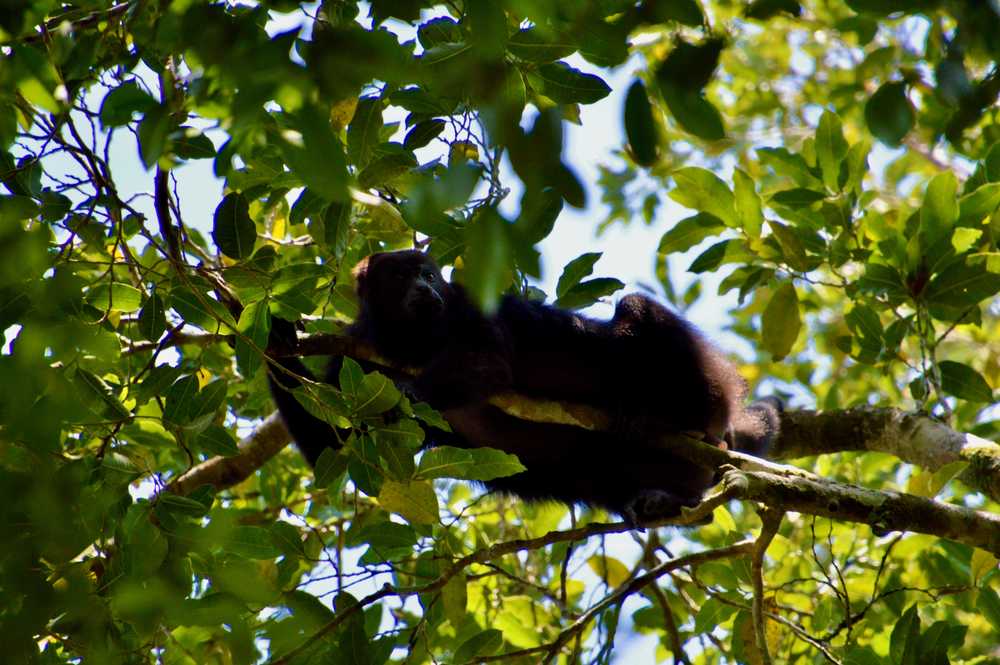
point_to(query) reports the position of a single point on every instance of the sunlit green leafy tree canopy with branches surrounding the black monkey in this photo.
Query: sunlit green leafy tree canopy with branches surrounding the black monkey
(840, 165)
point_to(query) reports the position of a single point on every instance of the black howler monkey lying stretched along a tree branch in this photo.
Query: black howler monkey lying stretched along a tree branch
(646, 366)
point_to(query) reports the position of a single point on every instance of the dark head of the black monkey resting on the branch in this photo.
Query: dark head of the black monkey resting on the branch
(402, 287)
